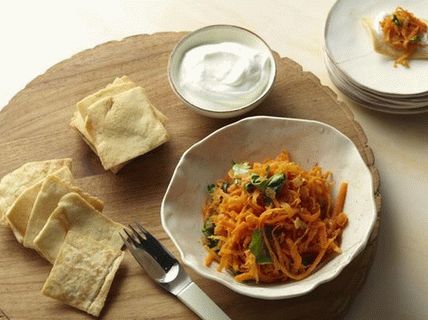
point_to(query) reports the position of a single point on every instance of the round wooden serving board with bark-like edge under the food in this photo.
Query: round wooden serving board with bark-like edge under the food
(34, 126)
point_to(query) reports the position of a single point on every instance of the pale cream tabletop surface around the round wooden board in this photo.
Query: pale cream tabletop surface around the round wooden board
(36, 35)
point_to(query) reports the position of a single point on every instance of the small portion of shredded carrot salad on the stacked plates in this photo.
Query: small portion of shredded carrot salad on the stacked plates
(403, 31)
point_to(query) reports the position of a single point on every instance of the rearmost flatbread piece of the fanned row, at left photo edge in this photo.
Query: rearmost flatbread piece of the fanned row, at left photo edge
(14, 183)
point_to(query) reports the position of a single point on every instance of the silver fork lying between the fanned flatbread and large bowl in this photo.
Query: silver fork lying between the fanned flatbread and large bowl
(164, 269)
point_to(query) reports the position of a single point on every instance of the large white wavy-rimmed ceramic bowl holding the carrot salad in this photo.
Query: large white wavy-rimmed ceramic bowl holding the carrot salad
(255, 139)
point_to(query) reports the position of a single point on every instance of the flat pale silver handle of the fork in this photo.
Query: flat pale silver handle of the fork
(198, 301)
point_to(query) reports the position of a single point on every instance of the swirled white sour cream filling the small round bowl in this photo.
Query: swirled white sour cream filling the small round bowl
(222, 76)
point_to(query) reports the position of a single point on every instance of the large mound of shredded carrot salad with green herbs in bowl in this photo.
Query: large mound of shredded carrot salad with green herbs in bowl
(272, 221)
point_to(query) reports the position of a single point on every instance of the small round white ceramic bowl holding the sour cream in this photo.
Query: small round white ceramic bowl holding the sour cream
(216, 34)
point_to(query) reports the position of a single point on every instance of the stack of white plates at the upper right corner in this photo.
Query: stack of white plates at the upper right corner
(367, 77)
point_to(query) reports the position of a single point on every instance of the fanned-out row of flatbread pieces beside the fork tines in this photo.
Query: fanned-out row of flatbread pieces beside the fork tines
(64, 225)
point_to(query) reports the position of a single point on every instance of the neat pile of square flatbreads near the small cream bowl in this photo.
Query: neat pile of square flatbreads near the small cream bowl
(119, 123)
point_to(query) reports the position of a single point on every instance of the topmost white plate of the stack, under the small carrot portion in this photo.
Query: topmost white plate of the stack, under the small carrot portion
(349, 46)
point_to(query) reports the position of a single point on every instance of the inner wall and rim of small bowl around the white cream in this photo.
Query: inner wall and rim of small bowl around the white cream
(217, 34)
